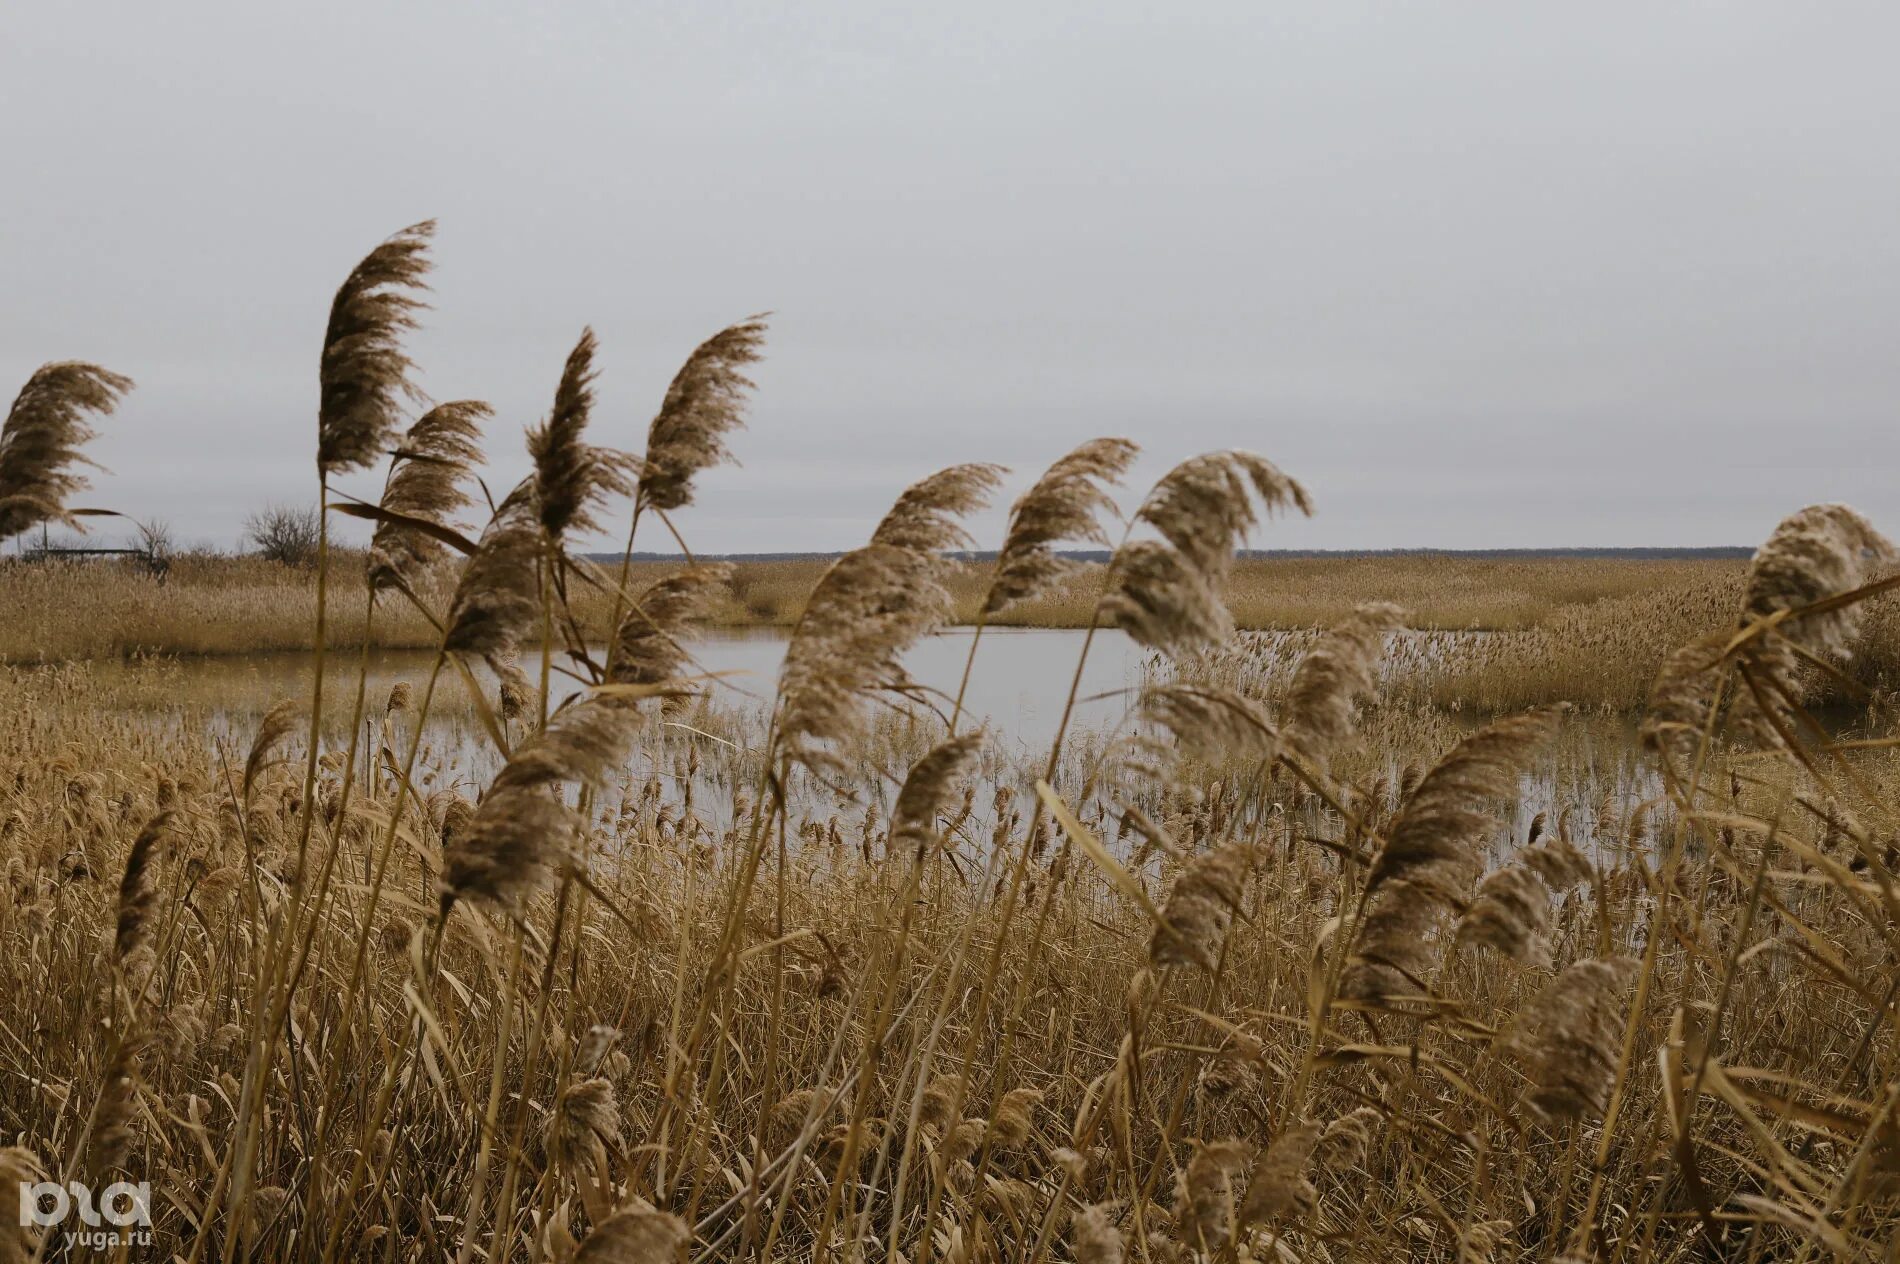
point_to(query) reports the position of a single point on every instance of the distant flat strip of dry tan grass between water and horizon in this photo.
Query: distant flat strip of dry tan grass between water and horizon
(130, 613)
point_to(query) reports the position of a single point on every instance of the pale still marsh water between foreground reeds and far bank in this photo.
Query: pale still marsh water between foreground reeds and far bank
(1017, 689)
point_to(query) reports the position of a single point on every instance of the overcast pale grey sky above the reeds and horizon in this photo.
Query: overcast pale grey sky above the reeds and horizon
(1479, 275)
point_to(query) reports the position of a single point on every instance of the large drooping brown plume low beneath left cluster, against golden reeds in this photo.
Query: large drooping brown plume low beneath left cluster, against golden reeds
(523, 826)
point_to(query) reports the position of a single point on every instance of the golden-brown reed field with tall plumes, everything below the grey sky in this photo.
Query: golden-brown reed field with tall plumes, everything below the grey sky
(1544, 915)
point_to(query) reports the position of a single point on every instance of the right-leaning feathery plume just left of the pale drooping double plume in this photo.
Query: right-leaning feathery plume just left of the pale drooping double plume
(1063, 508)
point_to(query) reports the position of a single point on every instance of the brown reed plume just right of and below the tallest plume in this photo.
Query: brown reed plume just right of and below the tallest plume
(425, 484)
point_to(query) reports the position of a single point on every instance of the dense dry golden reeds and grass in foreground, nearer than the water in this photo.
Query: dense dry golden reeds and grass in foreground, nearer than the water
(831, 972)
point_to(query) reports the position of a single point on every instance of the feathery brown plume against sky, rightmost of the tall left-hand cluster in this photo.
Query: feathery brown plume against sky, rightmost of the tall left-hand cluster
(704, 404)
